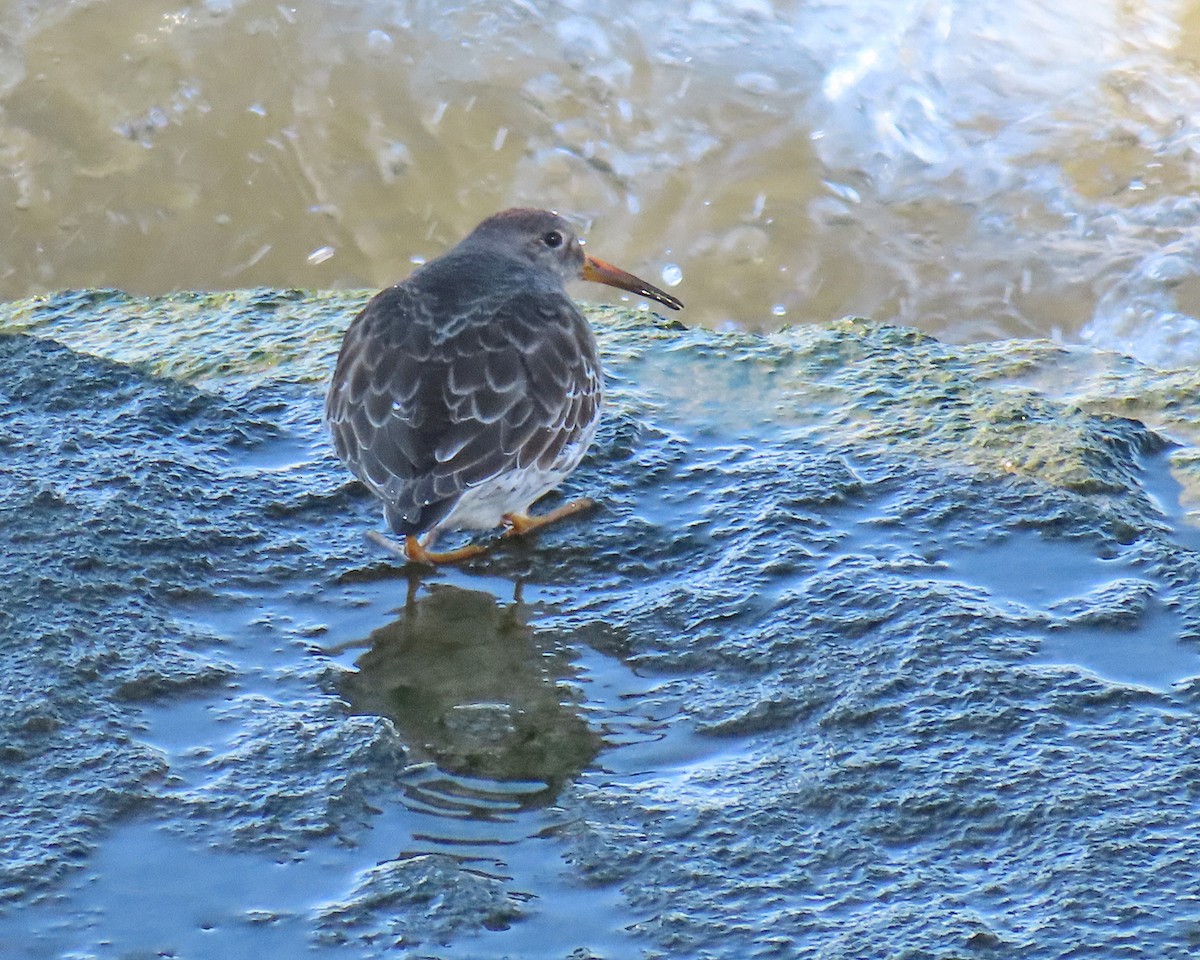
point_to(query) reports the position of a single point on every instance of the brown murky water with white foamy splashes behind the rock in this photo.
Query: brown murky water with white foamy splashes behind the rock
(980, 170)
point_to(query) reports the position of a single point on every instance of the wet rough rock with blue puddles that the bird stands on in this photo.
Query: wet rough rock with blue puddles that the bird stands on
(875, 647)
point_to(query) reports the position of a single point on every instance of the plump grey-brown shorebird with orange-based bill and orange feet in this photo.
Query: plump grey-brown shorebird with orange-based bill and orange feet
(470, 391)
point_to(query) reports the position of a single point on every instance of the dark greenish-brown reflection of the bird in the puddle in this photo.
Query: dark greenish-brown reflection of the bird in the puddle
(473, 687)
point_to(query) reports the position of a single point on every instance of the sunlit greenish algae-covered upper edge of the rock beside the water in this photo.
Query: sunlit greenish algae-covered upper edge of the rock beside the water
(869, 383)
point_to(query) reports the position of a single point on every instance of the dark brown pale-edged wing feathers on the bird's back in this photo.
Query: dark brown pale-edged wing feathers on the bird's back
(422, 410)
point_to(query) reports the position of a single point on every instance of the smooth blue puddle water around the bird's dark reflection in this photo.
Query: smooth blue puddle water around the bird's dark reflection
(195, 898)
